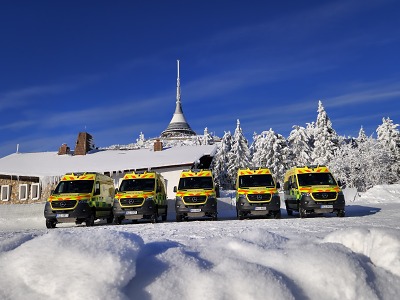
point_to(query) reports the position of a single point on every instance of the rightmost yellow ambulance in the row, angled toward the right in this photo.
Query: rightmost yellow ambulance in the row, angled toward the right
(312, 189)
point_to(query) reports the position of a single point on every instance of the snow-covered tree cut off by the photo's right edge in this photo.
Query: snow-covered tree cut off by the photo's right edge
(389, 137)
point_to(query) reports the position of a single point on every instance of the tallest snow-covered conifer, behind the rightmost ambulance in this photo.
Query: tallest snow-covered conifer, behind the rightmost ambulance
(325, 138)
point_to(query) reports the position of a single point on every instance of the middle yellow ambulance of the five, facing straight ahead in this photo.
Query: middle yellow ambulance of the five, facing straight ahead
(196, 195)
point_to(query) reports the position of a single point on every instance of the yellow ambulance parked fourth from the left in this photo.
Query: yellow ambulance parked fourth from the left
(257, 194)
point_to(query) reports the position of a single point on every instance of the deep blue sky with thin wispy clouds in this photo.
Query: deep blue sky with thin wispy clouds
(109, 67)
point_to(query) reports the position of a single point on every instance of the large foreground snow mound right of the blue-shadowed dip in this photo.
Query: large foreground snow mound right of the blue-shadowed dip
(258, 264)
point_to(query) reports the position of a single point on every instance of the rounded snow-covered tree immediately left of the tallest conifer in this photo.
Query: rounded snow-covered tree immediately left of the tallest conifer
(299, 147)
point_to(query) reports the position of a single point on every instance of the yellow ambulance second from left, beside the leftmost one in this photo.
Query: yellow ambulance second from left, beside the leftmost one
(141, 195)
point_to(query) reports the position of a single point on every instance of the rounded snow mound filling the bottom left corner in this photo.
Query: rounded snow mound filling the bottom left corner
(83, 264)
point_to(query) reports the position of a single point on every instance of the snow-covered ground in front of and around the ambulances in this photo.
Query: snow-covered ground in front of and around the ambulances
(356, 257)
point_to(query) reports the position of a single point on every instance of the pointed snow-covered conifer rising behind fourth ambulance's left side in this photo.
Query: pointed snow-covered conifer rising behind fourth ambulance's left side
(239, 156)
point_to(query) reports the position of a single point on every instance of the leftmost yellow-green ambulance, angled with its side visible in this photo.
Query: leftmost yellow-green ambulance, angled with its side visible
(80, 197)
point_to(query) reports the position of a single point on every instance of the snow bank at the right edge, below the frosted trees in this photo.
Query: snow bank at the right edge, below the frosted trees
(382, 194)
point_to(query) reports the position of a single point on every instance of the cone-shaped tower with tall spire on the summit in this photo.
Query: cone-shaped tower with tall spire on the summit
(178, 126)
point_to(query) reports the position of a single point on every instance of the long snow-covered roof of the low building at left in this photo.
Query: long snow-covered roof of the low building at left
(52, 164)
